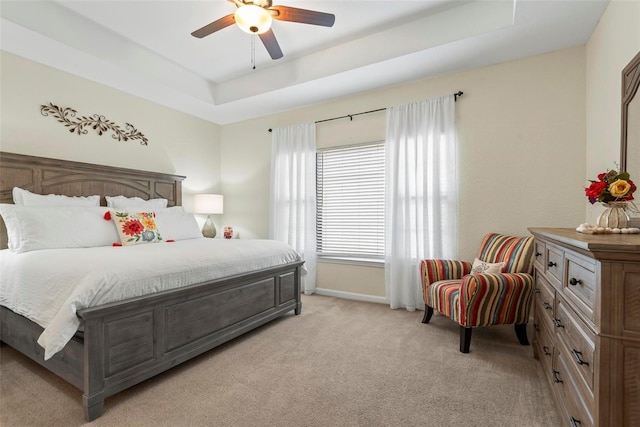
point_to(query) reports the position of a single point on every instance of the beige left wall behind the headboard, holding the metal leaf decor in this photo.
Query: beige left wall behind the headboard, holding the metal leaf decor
(178, 143)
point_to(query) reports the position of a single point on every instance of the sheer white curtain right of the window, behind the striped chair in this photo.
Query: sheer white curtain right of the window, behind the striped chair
(421, 194)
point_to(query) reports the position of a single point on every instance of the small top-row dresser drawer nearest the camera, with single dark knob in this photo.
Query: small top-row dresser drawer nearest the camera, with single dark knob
(580, 285)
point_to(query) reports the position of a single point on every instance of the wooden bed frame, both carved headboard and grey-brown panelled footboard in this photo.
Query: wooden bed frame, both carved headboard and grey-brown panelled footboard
(127, 342)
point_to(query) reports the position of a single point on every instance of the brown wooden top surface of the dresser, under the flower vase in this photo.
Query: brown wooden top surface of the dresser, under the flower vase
(597, 244)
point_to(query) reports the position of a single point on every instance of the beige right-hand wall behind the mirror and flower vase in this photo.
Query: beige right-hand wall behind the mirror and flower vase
(615, 41)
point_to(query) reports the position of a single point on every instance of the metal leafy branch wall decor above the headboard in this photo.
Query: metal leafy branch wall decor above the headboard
(100, 124)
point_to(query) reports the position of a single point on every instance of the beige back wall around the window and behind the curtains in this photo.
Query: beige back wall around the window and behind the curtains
(521, 128)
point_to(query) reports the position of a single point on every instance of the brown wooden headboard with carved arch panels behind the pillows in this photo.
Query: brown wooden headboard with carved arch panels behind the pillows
(52, 176)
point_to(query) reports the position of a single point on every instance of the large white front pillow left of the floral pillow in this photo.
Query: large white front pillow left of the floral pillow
(33, 228)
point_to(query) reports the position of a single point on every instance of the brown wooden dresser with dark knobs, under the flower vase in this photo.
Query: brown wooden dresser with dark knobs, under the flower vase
(587, 324)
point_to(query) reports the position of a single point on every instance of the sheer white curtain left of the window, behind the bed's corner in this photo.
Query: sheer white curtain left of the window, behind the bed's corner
(293, 194)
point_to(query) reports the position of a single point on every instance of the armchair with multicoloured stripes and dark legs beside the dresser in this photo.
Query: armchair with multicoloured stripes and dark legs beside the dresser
(475, 300)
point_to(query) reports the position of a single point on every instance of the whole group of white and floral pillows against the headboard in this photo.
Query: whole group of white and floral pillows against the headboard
(54, 221)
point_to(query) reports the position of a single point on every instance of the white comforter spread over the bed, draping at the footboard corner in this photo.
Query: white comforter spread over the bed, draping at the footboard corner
(49, 286)
